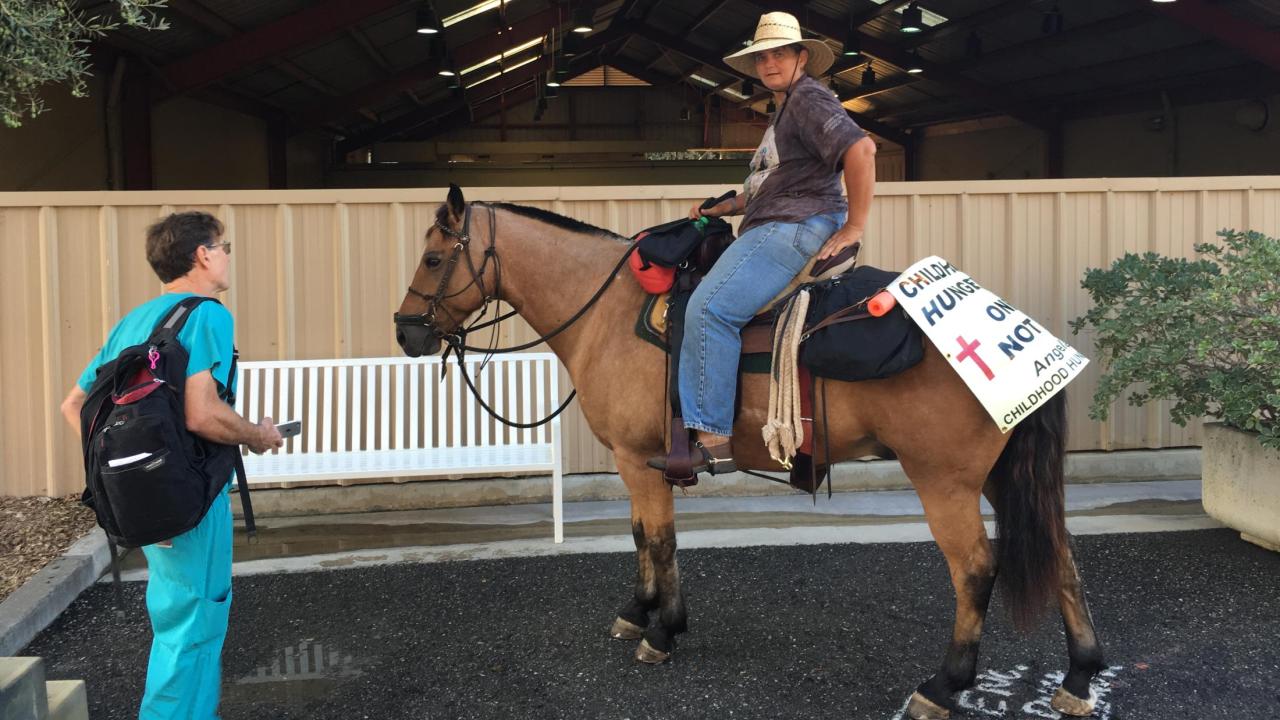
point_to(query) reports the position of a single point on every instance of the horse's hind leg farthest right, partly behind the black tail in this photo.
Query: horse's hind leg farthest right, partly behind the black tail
(1076, 696)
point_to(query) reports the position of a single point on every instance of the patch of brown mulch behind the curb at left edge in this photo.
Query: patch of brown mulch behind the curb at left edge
(35, 531)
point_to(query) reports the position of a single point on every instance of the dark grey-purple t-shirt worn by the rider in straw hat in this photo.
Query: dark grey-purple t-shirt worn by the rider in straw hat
(797, 170)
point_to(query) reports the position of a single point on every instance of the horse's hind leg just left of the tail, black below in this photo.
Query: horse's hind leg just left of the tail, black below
(956, 521)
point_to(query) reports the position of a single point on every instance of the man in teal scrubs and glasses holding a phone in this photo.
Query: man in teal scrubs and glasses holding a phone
(190, 587)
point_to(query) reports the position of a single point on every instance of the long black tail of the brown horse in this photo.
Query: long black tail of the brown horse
(1031, 517)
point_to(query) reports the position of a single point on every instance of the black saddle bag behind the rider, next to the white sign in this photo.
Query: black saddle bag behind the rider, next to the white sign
(858, 348)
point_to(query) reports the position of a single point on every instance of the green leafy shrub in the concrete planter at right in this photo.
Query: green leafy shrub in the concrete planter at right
(1204, 334)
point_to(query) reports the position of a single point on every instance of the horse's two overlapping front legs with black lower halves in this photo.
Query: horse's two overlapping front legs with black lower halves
(653, 526)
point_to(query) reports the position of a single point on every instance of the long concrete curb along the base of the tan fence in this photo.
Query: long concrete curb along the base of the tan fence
(1135, 466)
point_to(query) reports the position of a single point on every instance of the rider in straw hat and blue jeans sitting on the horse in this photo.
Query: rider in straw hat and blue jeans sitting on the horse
(794, 212)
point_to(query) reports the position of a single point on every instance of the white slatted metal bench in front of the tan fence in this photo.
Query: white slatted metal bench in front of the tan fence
(396, 418)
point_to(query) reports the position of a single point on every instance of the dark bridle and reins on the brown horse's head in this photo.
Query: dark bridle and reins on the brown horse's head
(456, 340)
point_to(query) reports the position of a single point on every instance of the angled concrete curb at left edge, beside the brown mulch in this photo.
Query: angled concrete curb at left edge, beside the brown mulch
(44, 598)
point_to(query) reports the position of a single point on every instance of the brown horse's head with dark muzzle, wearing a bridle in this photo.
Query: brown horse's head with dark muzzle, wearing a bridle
(450, 282)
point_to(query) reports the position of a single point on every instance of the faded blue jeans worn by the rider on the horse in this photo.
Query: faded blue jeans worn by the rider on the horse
(753, 271)
